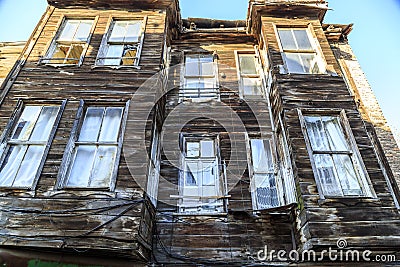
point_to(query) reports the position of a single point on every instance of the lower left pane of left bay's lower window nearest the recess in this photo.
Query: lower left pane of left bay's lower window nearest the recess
(81, 166)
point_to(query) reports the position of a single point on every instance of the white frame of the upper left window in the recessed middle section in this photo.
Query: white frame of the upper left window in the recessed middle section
(210, 89)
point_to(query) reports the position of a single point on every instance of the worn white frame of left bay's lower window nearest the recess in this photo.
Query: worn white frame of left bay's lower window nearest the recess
(74, 143)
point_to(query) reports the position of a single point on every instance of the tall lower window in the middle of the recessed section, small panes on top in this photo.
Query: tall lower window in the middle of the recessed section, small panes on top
(201, 185)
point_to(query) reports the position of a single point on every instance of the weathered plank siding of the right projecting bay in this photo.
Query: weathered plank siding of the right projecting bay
(322, 222)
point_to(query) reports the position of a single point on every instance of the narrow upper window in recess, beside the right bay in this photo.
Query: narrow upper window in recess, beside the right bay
(249, 76)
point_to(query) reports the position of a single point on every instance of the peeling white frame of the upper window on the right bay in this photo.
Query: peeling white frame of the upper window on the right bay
(315, 50)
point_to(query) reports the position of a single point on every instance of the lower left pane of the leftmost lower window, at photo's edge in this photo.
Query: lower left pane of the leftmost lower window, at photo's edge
(11, 164)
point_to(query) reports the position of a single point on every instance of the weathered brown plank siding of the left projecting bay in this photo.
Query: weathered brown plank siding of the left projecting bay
(110, 223)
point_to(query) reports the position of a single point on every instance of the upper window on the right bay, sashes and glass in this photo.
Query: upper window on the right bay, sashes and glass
(299, 51)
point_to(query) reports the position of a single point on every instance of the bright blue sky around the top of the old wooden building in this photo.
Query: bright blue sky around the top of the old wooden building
(375, 38)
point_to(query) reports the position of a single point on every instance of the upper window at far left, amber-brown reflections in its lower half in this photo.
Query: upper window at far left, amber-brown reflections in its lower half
(70, 43)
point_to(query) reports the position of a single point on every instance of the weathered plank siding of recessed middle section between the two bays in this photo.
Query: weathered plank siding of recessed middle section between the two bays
(218, 239)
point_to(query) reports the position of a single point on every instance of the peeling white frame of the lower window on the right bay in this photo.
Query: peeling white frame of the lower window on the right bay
(352, 152)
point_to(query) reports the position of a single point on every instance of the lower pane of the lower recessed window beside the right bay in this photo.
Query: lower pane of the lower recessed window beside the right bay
(266, 192)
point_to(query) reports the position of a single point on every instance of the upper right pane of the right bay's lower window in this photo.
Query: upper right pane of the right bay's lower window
(334, 134)
